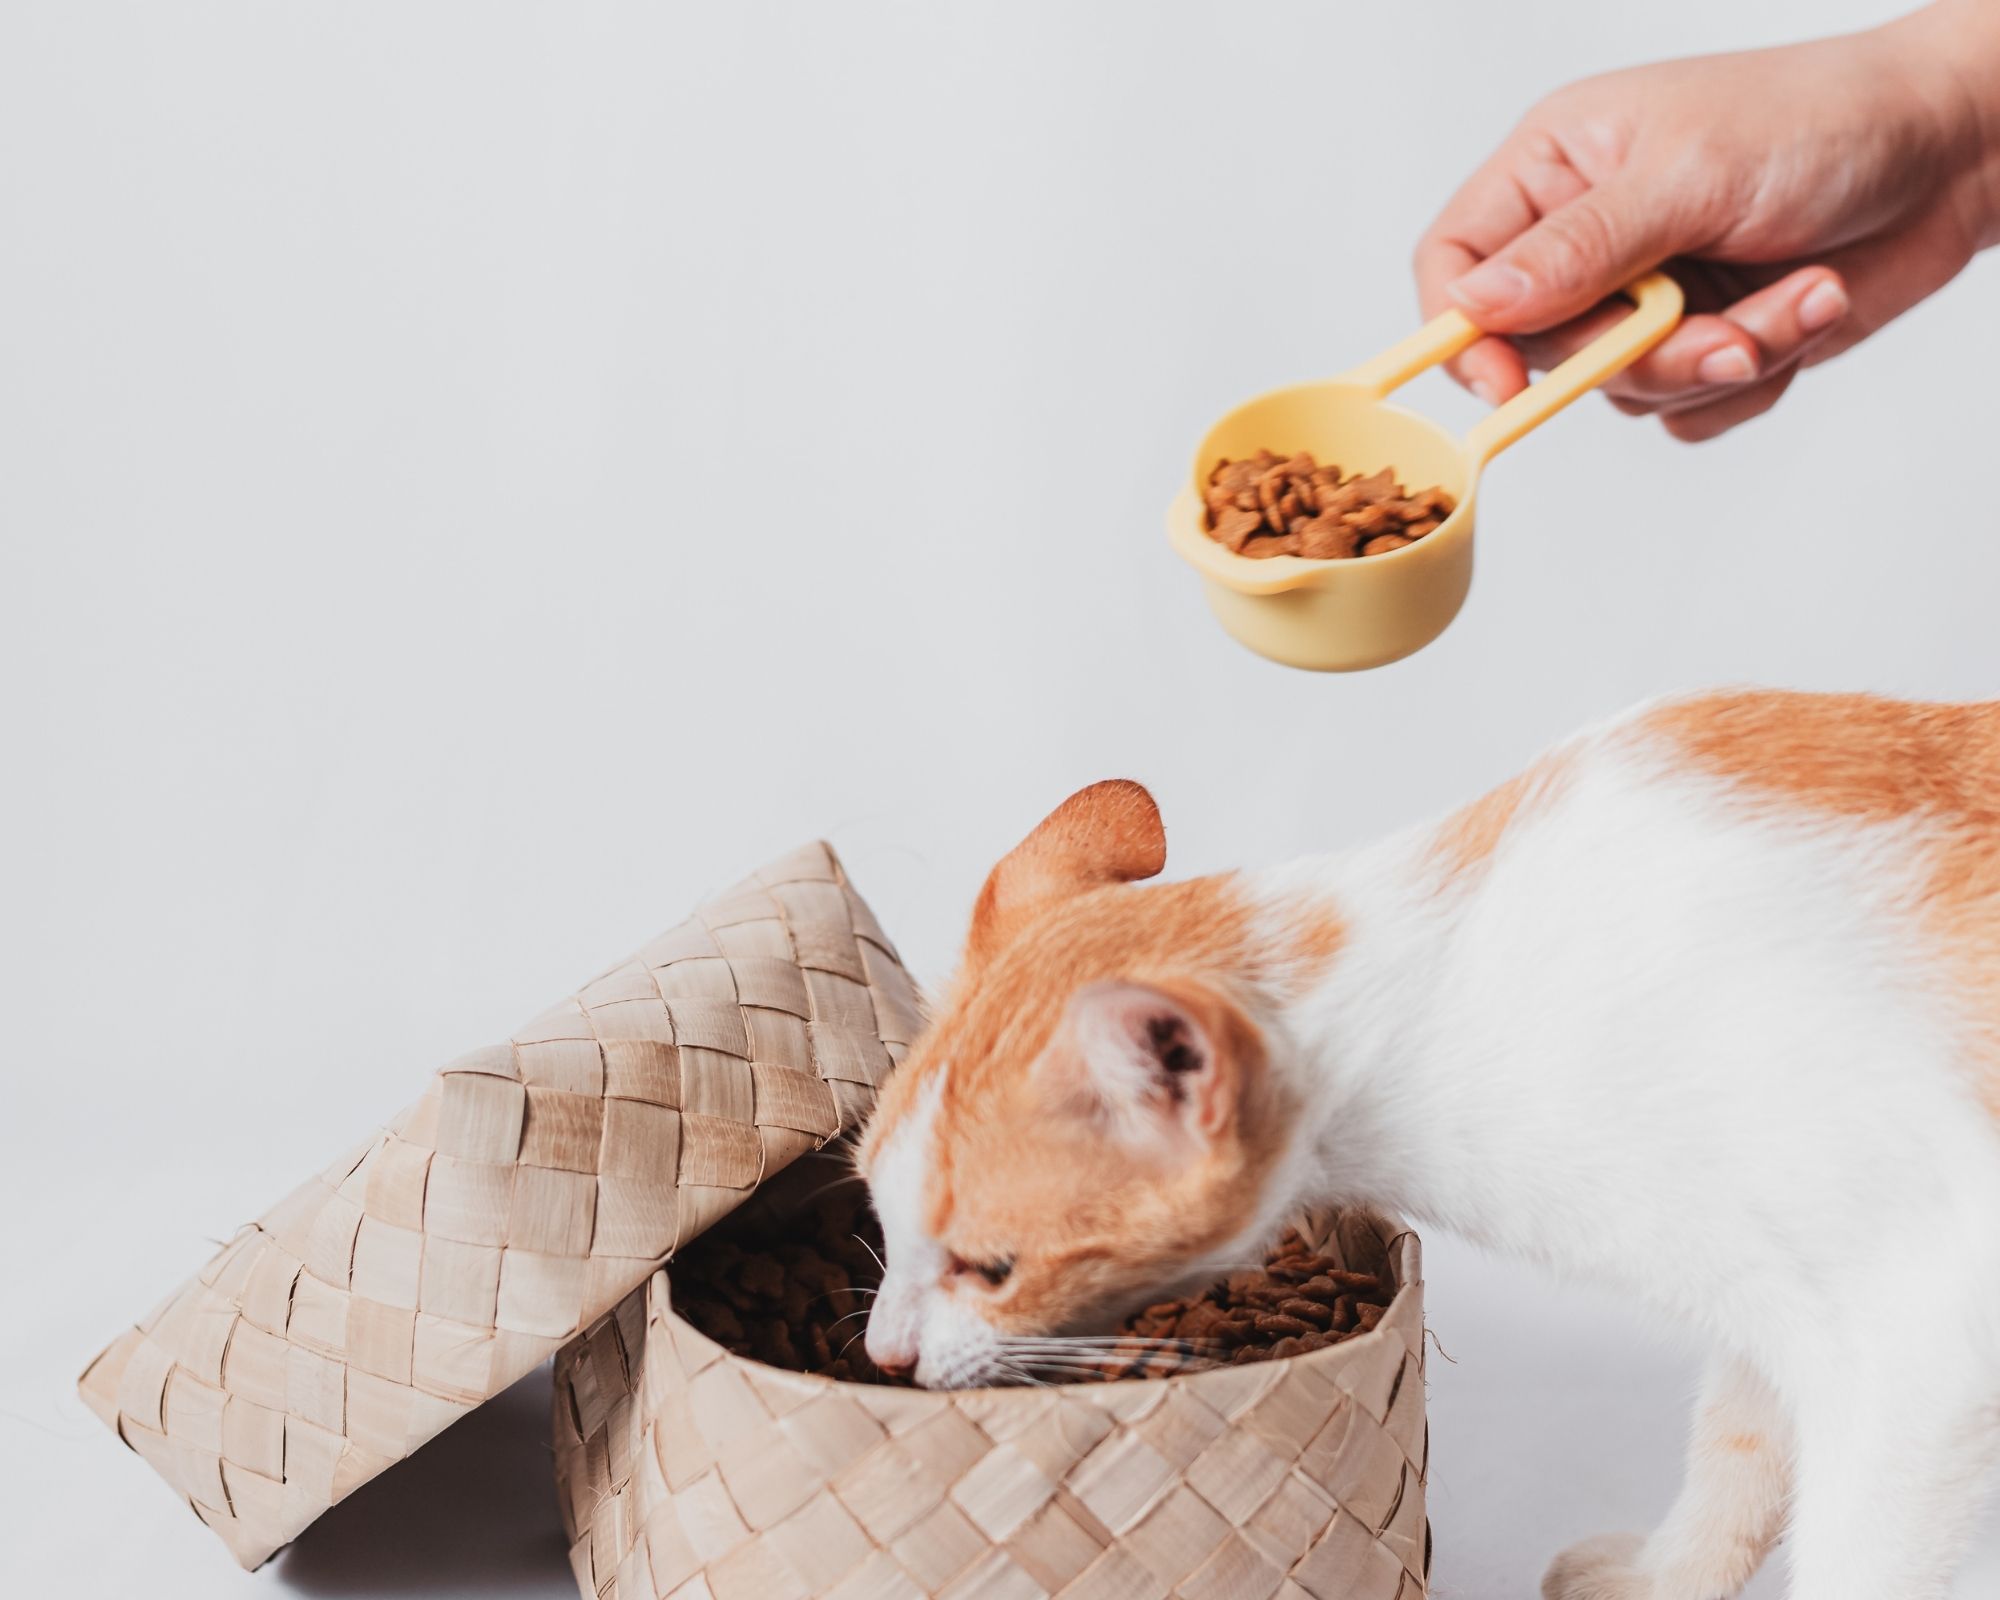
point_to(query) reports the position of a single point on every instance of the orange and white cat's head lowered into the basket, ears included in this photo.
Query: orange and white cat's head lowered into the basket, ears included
(1091, 1121)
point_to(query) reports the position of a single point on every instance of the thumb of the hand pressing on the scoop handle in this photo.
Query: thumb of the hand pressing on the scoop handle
(1571, 259)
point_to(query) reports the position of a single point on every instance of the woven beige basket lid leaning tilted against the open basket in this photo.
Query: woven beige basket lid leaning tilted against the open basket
(529, 1191)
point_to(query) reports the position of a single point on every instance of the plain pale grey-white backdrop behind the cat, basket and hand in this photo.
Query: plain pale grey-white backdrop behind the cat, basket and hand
(477, 477)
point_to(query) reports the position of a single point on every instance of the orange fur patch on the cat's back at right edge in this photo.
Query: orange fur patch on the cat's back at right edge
(1881, 761)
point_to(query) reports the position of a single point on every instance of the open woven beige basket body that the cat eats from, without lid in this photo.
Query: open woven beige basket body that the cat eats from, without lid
(693, 1473)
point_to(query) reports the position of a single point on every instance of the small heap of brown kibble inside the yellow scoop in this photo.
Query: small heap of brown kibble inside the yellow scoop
(1295, 507)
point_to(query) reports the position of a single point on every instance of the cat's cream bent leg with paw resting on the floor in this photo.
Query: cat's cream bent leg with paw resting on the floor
(1729, 1513)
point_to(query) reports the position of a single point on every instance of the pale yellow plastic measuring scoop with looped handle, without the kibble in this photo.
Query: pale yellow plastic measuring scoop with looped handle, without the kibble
(1369, 611)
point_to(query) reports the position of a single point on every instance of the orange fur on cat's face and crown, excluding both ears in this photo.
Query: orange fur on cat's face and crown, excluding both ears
(1017, 1169)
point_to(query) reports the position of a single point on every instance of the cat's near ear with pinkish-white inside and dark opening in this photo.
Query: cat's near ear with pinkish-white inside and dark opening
(1159, 1071)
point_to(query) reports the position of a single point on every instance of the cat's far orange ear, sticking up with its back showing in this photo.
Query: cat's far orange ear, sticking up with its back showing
(1103, 835)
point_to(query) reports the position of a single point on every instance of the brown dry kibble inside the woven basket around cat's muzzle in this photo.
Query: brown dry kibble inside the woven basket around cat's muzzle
(799, 1299)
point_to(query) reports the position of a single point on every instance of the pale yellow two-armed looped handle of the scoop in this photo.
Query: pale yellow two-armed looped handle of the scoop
(1657, 309)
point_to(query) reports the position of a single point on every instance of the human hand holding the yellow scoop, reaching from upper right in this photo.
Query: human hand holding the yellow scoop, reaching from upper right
(1805, 197)
